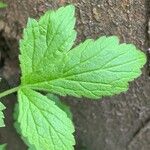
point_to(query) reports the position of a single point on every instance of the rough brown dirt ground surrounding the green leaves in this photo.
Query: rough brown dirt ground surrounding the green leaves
(121, 122)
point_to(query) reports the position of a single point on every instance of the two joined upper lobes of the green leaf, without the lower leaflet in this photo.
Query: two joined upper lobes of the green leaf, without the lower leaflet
(93, 69)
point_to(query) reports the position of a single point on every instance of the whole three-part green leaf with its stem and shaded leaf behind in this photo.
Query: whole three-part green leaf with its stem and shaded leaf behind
(93, 69)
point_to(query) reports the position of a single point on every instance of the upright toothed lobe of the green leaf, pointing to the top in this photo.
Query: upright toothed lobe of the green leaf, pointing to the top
(45, 42)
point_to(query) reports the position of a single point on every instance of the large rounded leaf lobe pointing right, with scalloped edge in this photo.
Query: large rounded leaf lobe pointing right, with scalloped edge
(93, 69)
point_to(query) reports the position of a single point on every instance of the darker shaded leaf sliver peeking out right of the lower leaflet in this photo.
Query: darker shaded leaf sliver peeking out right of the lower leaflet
(60, 104)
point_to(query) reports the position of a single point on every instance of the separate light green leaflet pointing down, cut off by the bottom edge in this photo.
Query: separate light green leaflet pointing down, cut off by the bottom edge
(42, 123)
